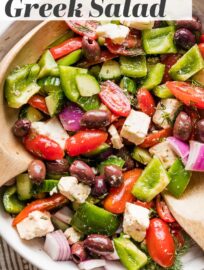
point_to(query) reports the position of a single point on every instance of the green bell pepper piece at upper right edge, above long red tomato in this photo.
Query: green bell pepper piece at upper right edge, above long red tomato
(188, 65)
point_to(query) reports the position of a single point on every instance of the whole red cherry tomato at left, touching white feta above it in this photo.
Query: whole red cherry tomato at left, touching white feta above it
(43, 147)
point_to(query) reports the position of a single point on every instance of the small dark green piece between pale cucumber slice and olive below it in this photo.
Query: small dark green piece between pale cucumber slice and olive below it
(89, 103)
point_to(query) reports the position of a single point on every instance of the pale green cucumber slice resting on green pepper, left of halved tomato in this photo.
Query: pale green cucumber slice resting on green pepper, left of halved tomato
(87, 85)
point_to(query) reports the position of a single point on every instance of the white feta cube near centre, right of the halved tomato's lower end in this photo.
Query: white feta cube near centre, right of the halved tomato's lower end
(136, 127)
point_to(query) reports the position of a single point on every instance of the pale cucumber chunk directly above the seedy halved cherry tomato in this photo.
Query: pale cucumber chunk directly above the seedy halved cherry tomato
(110, 71)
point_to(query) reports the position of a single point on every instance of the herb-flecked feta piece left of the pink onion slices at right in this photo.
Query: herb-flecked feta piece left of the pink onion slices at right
(164, 152)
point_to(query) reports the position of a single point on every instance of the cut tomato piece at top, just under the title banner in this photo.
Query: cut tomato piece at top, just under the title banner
(84, 28)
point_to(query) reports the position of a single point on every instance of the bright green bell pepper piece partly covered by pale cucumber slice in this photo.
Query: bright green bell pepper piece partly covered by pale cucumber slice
(68, 82)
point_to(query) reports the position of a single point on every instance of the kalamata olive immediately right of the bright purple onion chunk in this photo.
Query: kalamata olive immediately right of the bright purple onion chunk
(96, 119)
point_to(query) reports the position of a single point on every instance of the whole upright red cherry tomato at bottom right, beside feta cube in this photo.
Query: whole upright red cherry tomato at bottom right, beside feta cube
(160, 243)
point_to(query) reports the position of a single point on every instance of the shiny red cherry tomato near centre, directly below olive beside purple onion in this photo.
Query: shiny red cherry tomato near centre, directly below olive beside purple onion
(85, 141)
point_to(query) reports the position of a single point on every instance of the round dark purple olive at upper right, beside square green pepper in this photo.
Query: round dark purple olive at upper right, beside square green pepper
(184, 38)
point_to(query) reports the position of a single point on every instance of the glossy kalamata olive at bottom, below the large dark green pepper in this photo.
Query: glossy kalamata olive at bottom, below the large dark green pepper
(98, 244)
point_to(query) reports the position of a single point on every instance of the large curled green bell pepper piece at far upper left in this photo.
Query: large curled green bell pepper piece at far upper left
(21, 85)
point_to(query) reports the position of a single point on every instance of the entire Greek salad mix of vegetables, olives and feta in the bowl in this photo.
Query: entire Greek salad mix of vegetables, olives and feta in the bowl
(112, 114)
